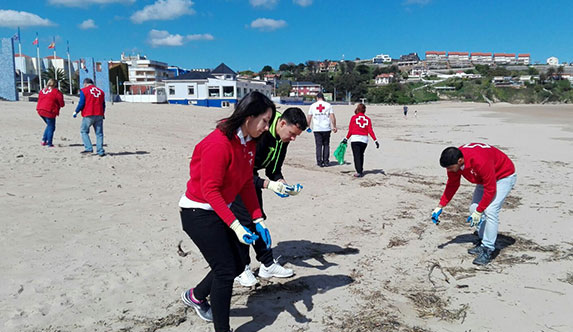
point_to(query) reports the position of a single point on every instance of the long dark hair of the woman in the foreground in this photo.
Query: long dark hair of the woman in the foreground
(252, 104)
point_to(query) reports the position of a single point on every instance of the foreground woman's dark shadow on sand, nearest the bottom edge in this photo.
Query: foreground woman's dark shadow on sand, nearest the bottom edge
(266, 303)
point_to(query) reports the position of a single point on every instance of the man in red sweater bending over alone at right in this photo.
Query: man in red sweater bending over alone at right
(494, 175)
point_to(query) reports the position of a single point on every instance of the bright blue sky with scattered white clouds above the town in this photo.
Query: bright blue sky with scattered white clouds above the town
(249, 34)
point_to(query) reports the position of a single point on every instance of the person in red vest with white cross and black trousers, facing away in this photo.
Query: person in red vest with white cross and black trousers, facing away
(359, 128)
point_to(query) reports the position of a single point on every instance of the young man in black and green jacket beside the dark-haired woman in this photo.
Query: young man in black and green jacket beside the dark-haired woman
(271, 152)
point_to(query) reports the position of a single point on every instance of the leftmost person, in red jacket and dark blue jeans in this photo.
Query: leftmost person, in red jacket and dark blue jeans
(50, 100)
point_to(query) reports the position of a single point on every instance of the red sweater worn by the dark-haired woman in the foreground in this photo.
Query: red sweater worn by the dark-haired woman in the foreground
(220, 169)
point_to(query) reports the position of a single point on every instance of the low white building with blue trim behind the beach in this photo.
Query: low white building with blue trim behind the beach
(219, 87)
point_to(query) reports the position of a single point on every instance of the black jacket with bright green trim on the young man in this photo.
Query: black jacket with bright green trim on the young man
(270, 155)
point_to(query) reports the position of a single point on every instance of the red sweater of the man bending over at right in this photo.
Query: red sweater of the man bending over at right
(483, 164)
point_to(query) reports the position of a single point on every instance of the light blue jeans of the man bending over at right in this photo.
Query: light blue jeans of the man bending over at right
(488, 228)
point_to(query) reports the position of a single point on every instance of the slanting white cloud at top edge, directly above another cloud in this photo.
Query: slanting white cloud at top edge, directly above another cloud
(163, 10)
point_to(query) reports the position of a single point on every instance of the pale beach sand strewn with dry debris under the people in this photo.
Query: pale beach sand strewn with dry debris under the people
(90, 244)
